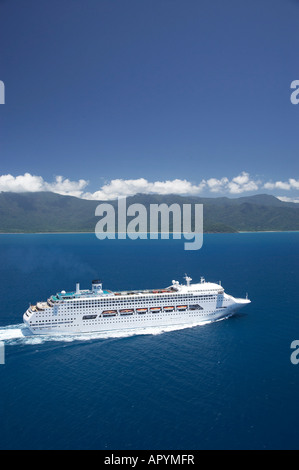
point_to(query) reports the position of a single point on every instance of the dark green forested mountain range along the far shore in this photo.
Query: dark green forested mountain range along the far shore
(50, 212)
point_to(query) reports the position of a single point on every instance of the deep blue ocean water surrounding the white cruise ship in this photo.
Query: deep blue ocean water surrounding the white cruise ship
(225, 385)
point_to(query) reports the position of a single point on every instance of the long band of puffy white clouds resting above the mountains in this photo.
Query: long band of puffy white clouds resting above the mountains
(240, 184)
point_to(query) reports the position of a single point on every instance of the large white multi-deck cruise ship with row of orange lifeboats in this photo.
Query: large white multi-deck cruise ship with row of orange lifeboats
(101, 310)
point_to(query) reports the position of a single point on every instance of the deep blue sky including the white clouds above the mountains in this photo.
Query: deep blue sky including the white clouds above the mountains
(114, 96)
